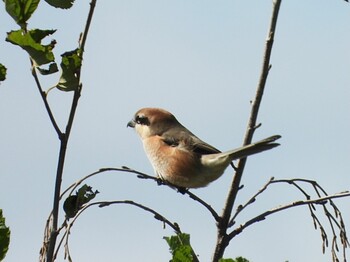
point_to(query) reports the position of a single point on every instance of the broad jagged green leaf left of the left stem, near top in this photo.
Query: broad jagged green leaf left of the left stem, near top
(31, 42)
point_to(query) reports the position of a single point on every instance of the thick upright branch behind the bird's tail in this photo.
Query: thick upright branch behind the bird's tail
(222, 238)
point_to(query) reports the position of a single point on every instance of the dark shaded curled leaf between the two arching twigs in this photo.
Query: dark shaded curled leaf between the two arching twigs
(73, 203)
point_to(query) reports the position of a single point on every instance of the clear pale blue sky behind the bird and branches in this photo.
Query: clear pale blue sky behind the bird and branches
(200, 60)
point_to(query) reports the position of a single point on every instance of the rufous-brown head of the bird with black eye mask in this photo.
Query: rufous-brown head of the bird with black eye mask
(152, 121)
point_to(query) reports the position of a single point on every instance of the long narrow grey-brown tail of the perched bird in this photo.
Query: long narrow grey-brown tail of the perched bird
(254, 148)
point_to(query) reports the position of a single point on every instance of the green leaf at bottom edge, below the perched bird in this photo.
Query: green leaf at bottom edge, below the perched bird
(180, 247)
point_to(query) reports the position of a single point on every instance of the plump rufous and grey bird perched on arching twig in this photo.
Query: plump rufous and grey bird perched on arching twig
(179, 157)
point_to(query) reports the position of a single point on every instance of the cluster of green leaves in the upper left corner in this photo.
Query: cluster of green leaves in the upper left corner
(42, 54)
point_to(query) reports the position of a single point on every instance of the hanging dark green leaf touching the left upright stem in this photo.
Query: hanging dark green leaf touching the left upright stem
(71, 64)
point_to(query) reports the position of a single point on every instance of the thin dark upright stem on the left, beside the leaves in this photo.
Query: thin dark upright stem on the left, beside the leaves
(64, 137)
